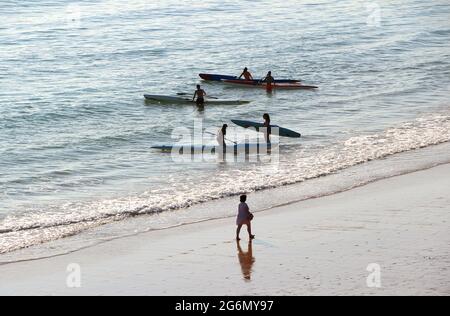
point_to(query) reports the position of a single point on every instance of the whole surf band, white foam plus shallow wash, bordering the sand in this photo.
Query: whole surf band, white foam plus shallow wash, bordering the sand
(51, 222)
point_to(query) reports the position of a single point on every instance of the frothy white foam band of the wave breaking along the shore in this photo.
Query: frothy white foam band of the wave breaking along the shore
(18, 231)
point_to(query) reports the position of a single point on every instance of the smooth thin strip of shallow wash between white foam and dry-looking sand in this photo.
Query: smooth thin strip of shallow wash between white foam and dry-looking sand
(411, 162)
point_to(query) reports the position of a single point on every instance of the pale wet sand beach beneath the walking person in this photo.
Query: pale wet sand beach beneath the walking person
(321, 246)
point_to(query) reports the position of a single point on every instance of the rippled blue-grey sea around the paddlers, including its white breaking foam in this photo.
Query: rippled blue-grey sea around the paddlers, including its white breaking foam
(76, 134)
